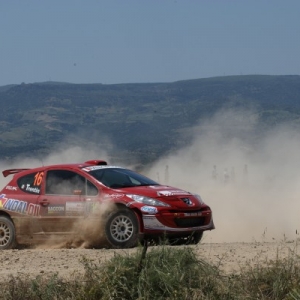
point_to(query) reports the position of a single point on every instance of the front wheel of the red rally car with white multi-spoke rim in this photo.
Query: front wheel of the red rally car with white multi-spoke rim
(121, 229)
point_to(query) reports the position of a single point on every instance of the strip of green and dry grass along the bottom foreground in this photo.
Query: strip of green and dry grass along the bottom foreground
(164, 273)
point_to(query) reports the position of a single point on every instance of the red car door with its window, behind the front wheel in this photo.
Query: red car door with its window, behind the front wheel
(63, 202)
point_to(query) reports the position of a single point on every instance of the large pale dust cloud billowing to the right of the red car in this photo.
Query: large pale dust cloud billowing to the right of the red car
(250, 179)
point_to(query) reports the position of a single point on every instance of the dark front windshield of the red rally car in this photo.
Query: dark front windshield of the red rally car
(120, 178)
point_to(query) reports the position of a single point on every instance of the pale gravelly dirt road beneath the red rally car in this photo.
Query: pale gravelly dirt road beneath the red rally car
(229, 256)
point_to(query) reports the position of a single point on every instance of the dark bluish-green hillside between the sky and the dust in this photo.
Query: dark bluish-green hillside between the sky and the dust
(143, 120)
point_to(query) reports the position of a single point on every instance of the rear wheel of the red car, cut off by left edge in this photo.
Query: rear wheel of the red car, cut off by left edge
(7, 234)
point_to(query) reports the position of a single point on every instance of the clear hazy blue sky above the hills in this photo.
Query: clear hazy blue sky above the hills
(132, 41)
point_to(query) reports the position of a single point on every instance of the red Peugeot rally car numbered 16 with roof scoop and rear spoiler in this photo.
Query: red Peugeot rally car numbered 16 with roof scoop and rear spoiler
(55, 201)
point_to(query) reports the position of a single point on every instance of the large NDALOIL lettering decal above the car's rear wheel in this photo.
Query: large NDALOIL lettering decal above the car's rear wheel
(19, 206)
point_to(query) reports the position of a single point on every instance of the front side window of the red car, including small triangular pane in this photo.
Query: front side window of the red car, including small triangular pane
(64, 182)
